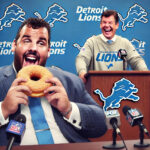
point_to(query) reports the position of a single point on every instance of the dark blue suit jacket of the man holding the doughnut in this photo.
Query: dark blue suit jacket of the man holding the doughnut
(92, 116)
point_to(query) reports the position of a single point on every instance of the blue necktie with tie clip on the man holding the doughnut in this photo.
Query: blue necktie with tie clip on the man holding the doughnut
(41, 127)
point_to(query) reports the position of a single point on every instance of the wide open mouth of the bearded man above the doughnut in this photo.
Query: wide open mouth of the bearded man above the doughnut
(31, 58)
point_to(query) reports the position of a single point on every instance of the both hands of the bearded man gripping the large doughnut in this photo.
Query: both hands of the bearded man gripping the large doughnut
(18, 94)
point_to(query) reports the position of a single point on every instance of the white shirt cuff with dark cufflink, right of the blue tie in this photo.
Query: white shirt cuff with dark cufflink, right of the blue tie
(75, 118)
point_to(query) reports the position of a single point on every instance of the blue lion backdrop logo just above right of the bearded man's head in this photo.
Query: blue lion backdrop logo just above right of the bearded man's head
(54, 13)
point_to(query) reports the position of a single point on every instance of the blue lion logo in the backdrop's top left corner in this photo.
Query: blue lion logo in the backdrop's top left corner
(12, 13)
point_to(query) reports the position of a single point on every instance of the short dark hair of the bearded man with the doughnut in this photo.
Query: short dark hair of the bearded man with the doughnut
(35, 23)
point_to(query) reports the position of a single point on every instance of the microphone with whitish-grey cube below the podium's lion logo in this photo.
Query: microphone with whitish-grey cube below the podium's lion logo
(113, 120)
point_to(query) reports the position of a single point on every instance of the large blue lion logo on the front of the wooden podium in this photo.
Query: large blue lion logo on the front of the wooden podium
(123, 89)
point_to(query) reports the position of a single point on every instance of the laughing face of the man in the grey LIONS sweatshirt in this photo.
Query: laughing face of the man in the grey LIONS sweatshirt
(109, 26)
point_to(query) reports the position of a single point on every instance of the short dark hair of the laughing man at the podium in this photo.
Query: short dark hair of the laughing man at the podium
(109, 13)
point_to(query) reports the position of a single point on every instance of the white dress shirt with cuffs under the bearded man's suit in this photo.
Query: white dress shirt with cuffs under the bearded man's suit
(29, 137)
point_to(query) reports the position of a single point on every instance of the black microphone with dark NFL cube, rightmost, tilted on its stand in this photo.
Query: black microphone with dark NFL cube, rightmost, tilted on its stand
(134, 117)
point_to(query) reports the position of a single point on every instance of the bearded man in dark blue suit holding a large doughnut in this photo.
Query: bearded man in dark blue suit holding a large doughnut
(75, 116)
